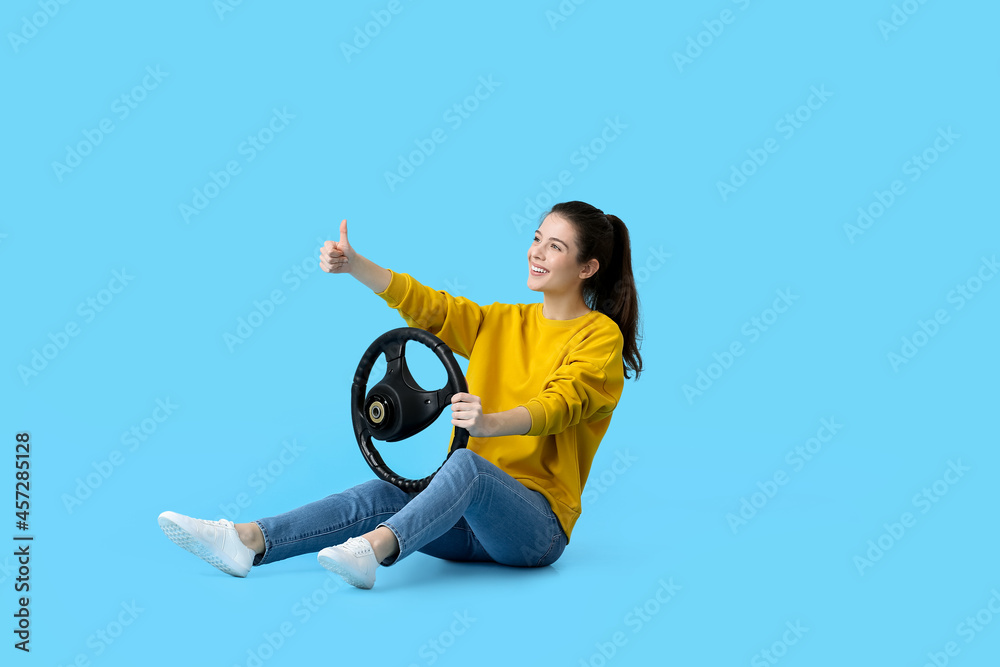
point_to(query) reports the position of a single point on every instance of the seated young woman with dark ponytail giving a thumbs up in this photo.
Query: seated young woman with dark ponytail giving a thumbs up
(543, 379)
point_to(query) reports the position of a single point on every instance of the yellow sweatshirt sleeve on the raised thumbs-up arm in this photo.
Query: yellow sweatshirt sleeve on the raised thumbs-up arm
(455, 320)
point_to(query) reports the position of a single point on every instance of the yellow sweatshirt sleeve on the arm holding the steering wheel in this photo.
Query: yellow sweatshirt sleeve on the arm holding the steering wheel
(586, 387)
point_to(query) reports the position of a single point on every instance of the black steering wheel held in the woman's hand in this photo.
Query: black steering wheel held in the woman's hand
(397, 407)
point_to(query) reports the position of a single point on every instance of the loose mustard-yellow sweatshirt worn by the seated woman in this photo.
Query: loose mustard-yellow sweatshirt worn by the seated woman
(567, 373)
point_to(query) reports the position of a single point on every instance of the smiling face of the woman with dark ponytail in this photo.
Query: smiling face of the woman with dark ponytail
(552, 265)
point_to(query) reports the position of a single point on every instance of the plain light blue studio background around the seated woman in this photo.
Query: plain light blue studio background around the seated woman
(670, 469)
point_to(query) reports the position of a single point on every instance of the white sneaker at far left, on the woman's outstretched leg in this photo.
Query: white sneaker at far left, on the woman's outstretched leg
(215, 542)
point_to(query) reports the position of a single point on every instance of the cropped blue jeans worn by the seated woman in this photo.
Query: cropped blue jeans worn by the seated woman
(471, 511)
